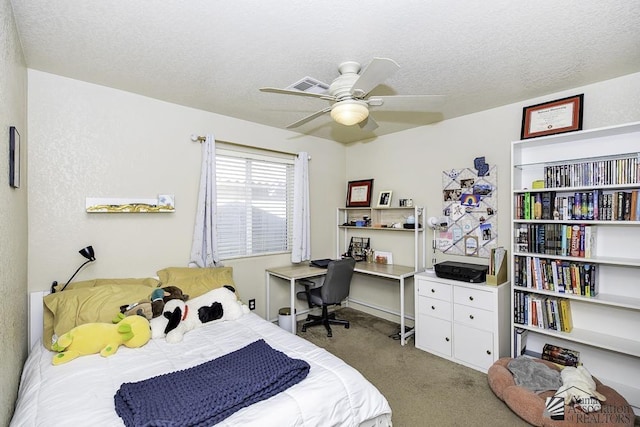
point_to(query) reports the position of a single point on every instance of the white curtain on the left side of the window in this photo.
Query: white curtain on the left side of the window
(204, 249)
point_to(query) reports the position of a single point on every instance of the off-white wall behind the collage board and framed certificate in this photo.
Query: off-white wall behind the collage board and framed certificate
(452, 144)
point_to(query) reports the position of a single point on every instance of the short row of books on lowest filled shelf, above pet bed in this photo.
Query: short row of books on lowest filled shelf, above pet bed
(542, 312)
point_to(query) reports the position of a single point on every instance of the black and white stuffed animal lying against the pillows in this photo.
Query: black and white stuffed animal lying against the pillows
(180, 317)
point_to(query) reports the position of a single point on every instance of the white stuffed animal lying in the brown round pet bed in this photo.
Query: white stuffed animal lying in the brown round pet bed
(578, 387)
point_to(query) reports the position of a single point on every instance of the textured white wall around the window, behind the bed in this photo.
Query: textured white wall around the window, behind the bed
(93, 141)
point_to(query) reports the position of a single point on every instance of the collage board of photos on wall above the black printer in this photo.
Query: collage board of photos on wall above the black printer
(469, 204)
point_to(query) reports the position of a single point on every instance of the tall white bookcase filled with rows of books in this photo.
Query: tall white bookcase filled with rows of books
(575, 237)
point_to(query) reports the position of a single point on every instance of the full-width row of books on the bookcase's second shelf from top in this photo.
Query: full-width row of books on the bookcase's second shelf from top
(585, 205)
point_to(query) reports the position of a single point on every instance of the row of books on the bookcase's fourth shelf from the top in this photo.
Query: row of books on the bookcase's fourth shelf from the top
(564, 277)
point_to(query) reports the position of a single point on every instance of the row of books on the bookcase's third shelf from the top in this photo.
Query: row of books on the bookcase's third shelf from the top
(577, 240)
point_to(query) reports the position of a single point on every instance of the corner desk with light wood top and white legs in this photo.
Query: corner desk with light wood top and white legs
(295, 272)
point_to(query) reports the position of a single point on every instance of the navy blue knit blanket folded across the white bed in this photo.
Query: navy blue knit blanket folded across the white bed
(208, 393)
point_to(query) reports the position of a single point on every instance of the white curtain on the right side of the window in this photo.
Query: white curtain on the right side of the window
(301, 250)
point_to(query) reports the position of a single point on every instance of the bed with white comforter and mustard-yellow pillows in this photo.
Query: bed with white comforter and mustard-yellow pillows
(82, 391)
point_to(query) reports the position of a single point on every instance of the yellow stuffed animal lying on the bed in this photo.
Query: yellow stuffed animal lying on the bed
(103, 338)
